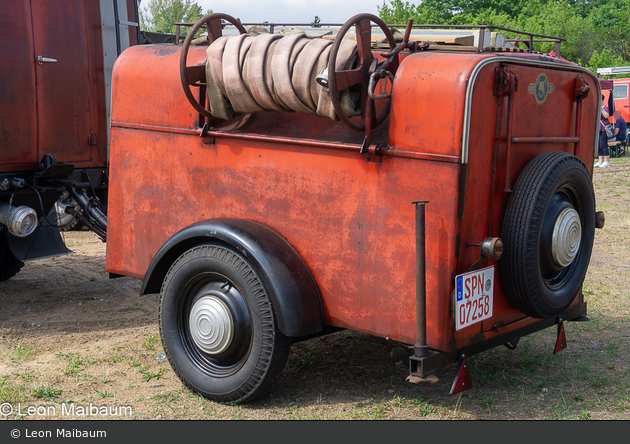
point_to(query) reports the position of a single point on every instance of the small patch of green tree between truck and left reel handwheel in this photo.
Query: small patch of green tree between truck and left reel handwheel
(161, 15)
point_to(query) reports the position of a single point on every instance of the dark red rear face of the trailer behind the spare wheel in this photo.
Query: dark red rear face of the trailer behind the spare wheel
(485, 197)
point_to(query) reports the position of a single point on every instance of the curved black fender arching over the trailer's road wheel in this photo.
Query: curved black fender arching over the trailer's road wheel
(293, 292)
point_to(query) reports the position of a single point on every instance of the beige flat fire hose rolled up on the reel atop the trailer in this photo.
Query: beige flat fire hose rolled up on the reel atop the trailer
(272, 72)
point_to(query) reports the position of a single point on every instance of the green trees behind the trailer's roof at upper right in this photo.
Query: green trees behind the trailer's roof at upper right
(596, 31)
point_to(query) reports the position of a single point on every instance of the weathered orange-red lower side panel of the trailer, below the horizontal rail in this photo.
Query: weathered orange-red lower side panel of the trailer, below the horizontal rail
(352, 222)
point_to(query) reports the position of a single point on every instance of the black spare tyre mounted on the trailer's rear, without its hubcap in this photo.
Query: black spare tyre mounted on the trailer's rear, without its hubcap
(533, 283)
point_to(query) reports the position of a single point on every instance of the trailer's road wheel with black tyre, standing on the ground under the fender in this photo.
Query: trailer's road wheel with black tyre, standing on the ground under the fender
(218, 326)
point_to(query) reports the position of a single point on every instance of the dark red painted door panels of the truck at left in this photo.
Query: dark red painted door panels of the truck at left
(53, 107)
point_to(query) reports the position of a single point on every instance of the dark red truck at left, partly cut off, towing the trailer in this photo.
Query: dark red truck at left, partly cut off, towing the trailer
(56, 61)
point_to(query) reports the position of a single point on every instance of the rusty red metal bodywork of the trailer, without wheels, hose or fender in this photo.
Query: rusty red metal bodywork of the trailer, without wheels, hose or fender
(453, 138)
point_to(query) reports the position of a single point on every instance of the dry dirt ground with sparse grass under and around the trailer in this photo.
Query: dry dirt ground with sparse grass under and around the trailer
(72, 340)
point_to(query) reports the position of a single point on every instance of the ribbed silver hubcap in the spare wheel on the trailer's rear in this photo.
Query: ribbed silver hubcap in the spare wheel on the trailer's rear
(567, 235)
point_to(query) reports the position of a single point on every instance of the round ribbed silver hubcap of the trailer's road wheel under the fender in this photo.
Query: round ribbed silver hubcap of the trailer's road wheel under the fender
(211, 325)
